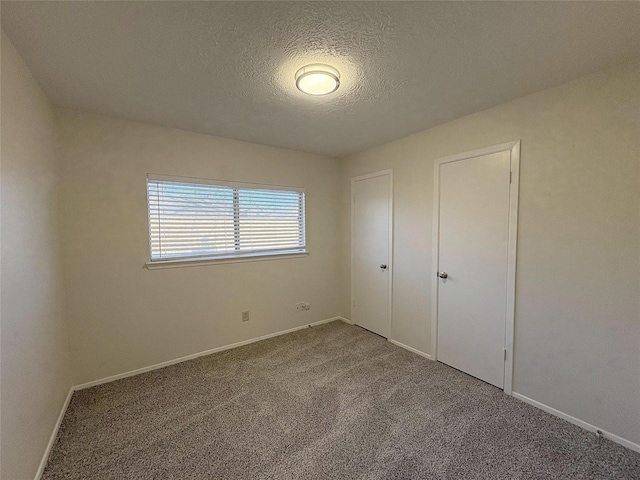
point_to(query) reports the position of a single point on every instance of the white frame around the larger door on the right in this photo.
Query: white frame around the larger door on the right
(514, 149)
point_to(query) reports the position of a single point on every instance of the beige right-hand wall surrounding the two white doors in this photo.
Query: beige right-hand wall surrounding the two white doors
(577, 338)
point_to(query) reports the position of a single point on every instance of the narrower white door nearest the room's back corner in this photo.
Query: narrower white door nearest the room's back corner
(371, 252)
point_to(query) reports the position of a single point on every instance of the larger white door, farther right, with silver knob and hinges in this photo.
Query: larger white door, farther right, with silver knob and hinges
(474, 215)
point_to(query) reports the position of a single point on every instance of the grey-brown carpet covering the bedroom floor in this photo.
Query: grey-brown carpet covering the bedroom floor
(328, 402)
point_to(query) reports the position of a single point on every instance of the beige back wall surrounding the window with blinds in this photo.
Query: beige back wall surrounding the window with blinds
(123, 316)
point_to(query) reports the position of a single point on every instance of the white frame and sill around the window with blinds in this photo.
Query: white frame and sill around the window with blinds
(230, 257)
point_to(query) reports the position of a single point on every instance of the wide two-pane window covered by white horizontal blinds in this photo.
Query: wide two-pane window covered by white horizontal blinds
(193, 219)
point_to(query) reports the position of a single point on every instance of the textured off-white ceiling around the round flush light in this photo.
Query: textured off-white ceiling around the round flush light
(227, 68)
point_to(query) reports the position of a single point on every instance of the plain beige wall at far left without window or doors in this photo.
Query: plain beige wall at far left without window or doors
(36, 368)
